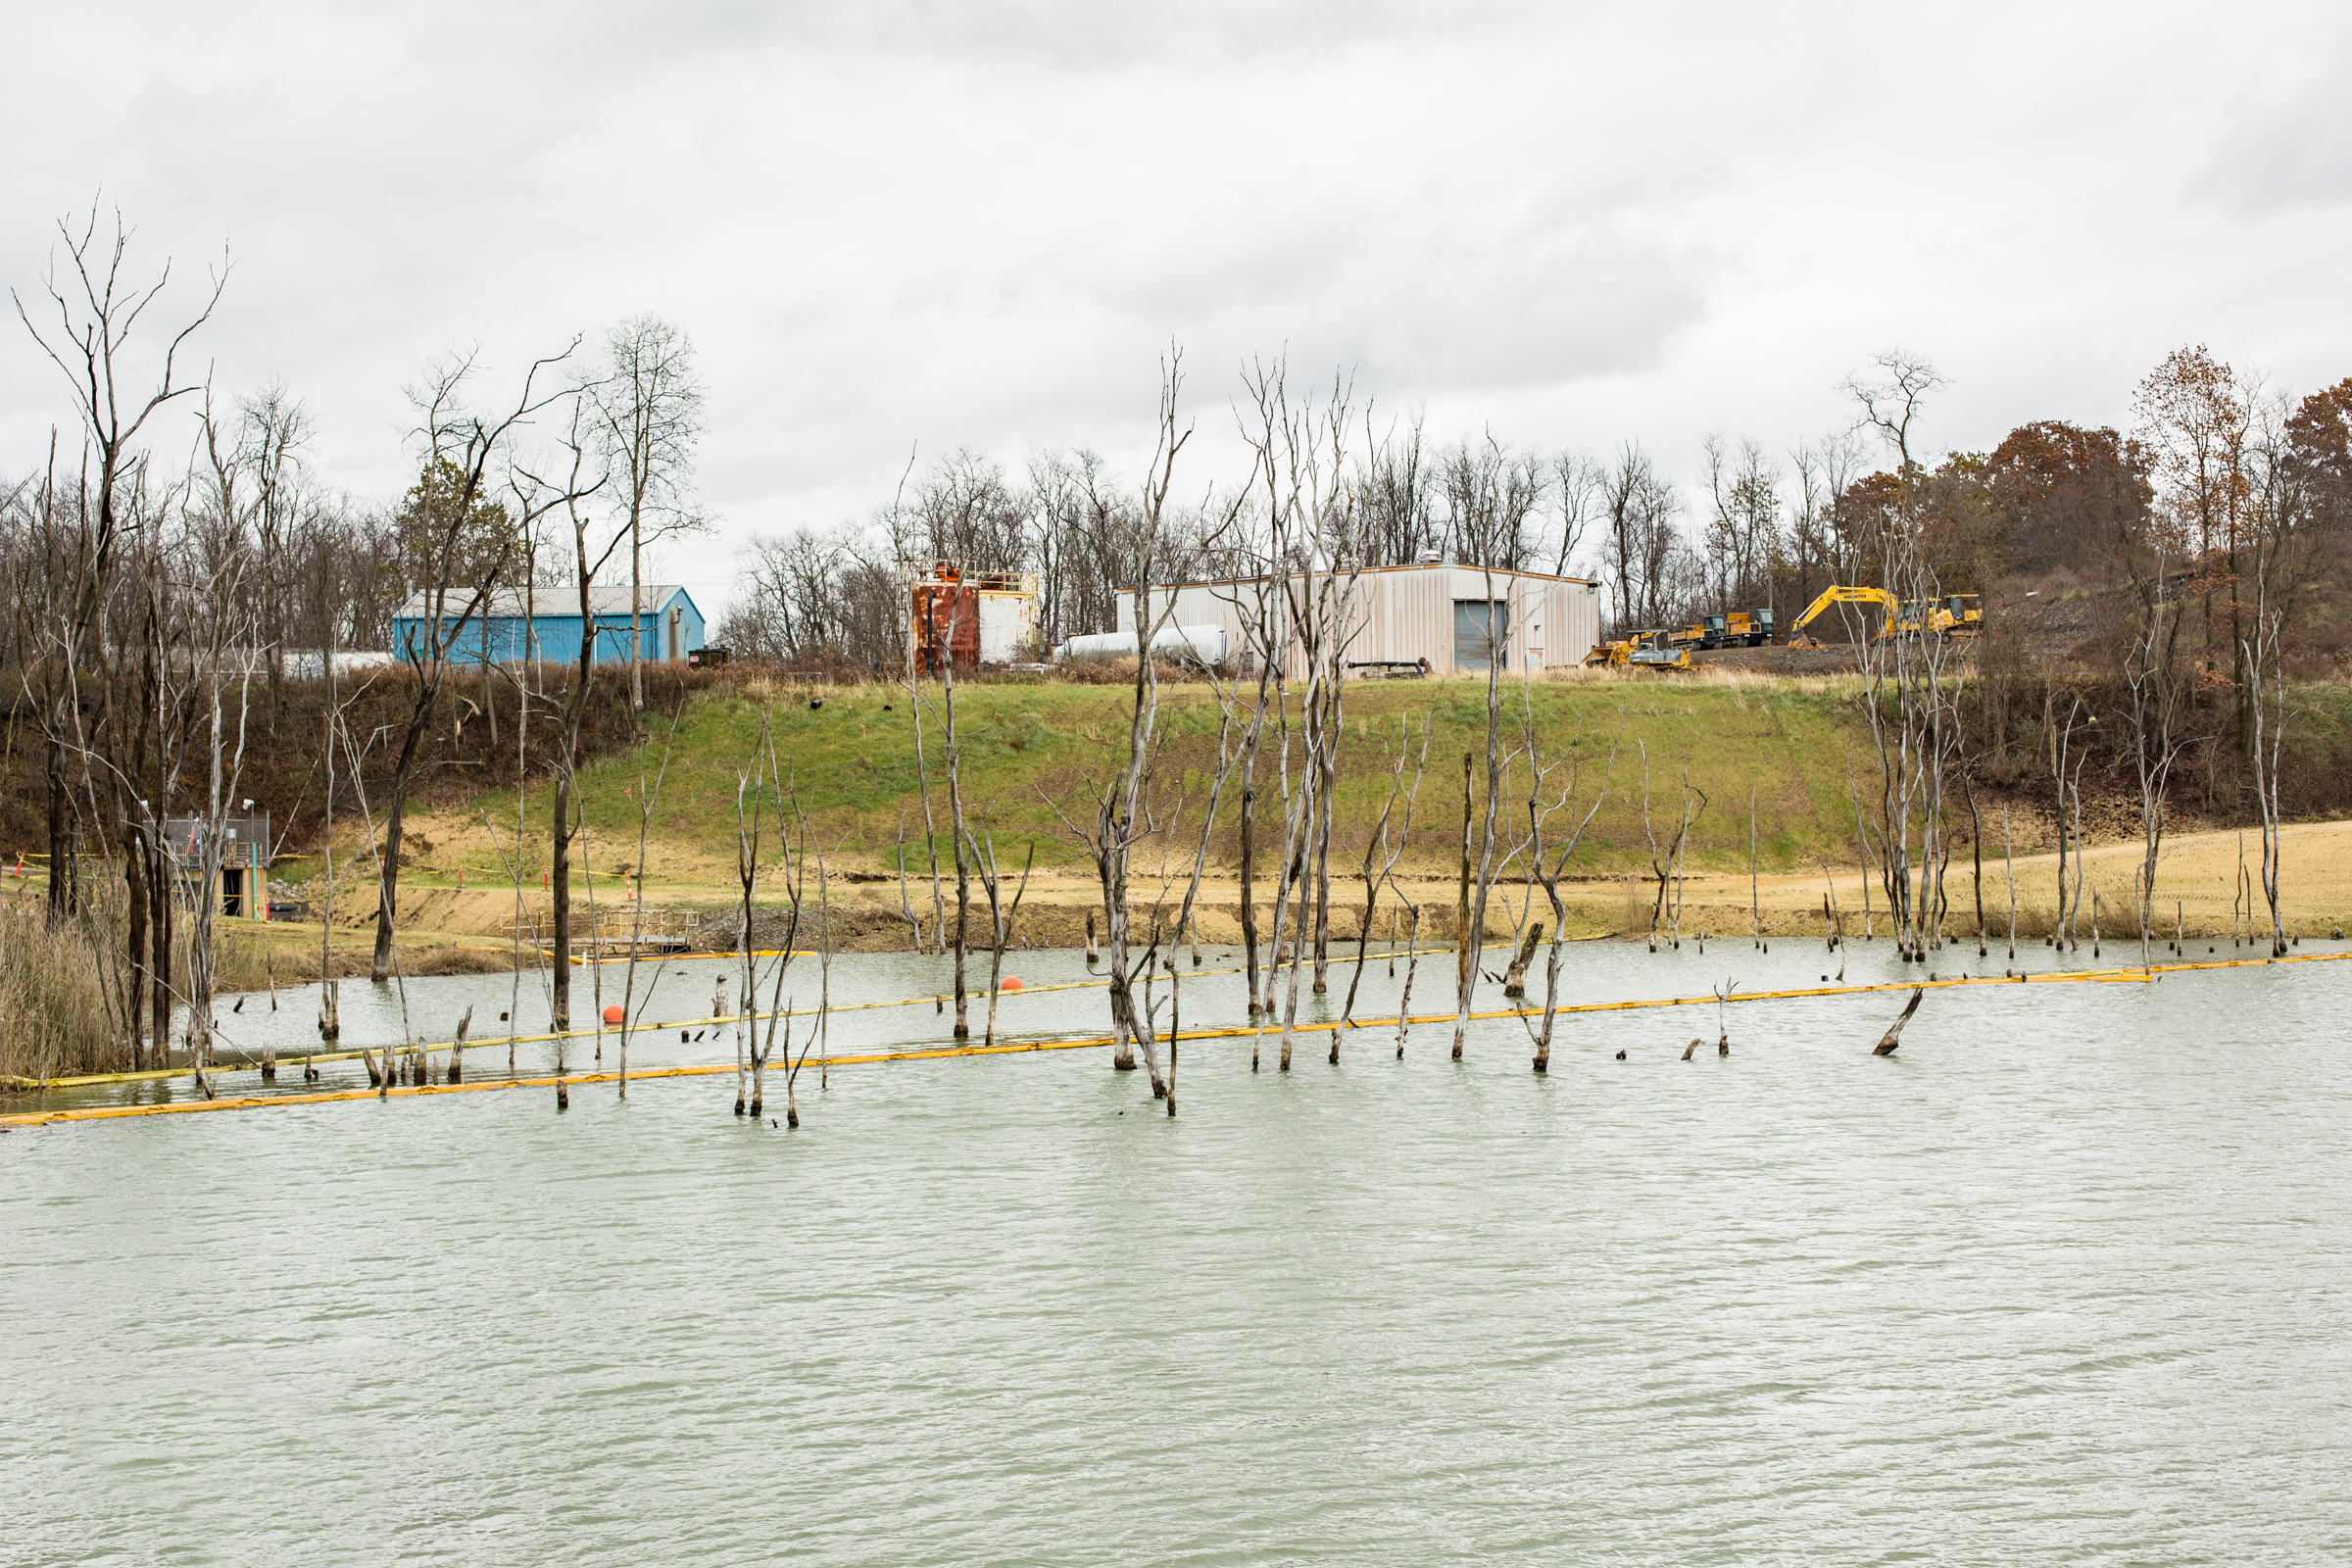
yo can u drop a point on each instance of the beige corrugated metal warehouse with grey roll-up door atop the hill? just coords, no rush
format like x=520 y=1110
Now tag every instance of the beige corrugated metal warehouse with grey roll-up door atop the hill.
x=1410 y=615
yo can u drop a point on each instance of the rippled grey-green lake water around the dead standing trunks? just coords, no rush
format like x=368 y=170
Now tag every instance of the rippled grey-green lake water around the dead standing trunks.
x=2066 y=1280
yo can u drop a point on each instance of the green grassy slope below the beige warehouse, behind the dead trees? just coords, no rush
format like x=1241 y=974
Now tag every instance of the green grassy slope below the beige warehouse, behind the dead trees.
x=1029 y=749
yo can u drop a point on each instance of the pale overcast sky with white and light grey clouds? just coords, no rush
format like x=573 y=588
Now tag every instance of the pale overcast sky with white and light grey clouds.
x=916 y=225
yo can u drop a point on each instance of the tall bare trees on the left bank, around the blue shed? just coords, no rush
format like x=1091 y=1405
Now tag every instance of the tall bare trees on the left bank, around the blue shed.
x=175 y=582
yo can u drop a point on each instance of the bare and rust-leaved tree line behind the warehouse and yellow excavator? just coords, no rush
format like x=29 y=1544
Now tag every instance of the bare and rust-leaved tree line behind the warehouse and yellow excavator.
x=1753 y=530
